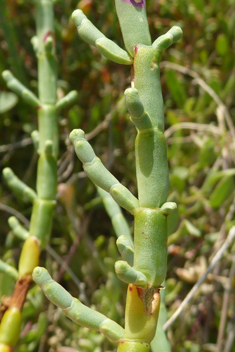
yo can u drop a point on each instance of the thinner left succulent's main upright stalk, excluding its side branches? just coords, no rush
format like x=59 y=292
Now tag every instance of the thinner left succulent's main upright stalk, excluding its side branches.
x=43 y=204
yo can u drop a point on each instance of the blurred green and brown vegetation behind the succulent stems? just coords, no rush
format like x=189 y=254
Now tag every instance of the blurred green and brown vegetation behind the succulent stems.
x=198 y=81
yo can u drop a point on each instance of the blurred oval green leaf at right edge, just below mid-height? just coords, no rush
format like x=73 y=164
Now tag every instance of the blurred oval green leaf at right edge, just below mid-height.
x=222 y=191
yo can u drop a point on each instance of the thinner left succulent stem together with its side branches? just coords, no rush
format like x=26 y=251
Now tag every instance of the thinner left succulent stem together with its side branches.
x=43 y=200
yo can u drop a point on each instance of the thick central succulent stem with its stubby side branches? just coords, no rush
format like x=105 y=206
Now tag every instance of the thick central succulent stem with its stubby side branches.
x=143 y=265
